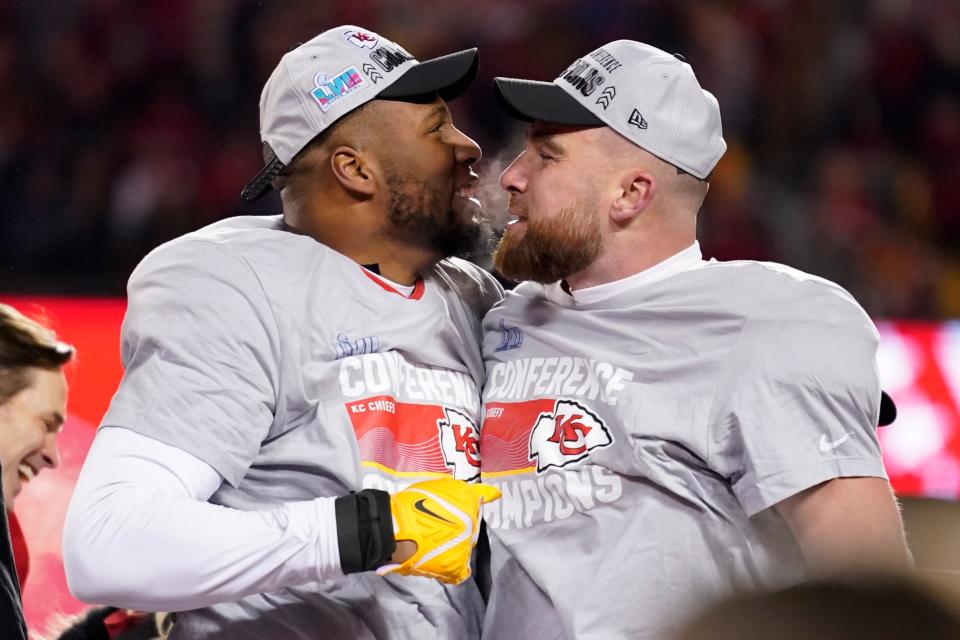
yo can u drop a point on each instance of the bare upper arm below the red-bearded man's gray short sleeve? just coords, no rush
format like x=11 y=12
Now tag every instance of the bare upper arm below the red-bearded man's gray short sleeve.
x=848 y=523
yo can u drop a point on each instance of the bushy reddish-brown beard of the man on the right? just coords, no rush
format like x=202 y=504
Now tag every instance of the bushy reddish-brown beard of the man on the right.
x=551 y=249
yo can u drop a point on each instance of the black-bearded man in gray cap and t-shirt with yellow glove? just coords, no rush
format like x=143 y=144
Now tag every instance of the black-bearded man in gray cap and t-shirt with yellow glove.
x=292 y=382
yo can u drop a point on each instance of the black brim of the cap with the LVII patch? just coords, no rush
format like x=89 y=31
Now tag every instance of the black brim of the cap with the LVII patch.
x=448 y=76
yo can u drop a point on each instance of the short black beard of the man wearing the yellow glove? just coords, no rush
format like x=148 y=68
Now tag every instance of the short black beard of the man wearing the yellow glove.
x=423 y=216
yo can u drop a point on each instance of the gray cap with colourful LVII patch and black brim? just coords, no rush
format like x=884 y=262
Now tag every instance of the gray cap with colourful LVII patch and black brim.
x=325 y=78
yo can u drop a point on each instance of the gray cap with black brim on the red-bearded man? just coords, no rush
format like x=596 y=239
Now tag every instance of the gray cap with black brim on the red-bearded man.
x=648 y=96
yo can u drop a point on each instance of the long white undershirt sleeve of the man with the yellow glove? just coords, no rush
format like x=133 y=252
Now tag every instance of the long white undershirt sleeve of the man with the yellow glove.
x=139 y=533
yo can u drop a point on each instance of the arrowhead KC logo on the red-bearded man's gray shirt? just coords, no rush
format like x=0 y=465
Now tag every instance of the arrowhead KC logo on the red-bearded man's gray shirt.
x=566 y=435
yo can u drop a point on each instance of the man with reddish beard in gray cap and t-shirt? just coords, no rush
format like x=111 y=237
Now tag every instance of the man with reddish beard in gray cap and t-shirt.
x=663 y=428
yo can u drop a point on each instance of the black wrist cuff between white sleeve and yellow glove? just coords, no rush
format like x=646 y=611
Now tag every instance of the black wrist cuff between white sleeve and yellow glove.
x=364 y=530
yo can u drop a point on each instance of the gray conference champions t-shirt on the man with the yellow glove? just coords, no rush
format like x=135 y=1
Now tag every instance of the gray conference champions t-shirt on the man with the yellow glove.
x=295 y=373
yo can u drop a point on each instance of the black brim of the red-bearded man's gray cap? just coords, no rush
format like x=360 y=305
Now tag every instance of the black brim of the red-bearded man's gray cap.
x=530 y=100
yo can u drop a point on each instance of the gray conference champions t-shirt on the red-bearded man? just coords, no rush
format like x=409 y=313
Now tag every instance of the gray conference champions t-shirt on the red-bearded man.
x=640 y=441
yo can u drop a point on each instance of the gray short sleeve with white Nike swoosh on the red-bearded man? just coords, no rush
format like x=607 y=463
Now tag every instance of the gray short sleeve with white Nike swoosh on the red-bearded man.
x=800 y=397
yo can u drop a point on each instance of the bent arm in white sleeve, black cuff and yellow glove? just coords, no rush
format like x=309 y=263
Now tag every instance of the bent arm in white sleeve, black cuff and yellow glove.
x=139 y=533
